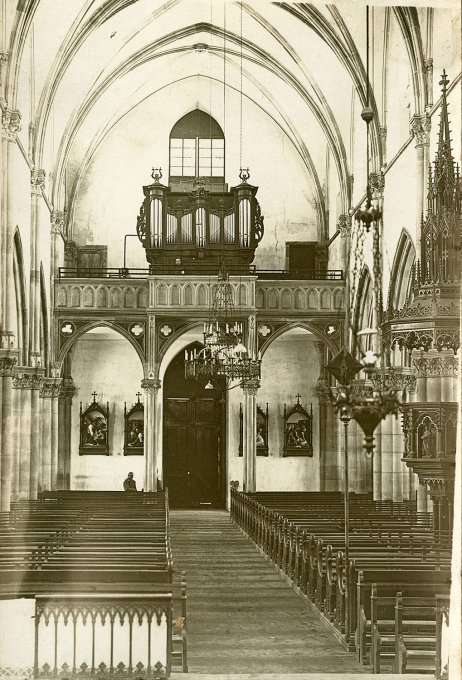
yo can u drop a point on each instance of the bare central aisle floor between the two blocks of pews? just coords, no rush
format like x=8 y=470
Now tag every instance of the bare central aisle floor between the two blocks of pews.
x=242 y=617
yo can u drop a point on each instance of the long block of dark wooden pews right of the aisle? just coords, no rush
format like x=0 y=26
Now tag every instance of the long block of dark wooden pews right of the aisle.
x=386 y=551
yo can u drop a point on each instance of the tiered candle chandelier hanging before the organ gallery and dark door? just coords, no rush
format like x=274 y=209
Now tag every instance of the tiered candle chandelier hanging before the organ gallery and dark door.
x=224 y=359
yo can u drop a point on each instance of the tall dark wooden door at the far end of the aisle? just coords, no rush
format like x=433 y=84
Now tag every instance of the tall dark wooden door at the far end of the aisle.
x=194 y=441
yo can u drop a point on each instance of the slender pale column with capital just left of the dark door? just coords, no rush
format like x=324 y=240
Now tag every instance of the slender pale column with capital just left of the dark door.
x=151 y=387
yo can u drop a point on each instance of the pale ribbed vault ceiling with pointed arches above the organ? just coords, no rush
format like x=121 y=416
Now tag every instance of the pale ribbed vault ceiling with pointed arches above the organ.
x=96 y=62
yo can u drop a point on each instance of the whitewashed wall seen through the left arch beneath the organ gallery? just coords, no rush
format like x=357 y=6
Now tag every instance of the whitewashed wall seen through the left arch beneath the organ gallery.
x=106 y=369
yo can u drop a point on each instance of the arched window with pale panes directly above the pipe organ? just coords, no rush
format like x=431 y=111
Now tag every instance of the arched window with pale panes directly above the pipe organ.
x=197 y=148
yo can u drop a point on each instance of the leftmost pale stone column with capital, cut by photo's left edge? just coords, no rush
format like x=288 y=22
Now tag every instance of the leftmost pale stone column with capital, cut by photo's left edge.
x=8 y=430
